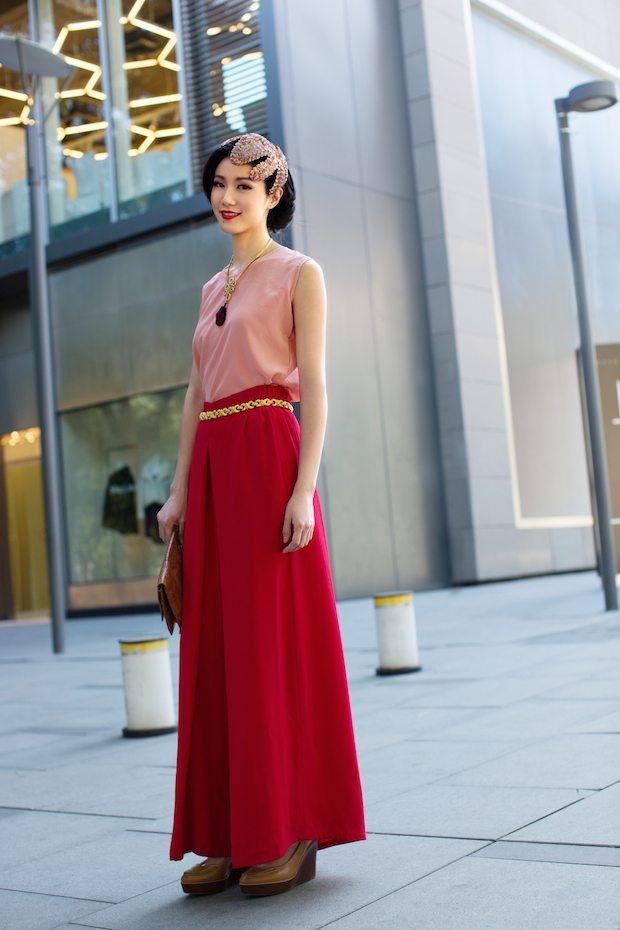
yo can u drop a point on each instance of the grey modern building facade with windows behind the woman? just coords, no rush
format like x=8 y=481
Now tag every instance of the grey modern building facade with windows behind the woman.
x=422 y=140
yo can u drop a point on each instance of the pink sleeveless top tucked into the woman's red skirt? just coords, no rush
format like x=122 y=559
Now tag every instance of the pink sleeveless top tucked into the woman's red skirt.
x=256 y=344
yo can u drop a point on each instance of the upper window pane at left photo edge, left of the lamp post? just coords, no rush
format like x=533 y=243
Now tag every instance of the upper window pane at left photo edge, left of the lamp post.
x=14 y=109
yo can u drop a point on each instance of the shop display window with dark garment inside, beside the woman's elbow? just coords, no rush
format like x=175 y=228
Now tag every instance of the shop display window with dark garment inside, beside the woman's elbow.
x=119 y=459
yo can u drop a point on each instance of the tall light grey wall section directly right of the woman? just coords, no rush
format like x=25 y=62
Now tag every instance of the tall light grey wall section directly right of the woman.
x=345 y=132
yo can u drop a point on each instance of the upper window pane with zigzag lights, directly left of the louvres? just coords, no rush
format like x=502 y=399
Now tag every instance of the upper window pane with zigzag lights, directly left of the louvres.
x=148 y=125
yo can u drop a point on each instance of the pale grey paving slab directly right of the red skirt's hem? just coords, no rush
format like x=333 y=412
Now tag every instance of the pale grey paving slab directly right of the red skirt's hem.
x=464 y=810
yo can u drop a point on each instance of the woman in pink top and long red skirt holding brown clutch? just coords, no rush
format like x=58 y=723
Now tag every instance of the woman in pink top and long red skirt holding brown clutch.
x=267 y=770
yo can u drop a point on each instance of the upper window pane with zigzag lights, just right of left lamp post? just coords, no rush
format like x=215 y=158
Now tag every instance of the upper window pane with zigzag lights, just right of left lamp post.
x=76 y=125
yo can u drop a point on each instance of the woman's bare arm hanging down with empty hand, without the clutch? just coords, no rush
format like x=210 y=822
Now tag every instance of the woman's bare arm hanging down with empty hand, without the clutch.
x=310 y=308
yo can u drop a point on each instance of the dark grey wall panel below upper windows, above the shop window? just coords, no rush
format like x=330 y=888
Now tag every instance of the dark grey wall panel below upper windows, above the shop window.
x=124 y=320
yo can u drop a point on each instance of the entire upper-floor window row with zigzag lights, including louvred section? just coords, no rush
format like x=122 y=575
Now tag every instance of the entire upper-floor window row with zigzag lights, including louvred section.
x=115 y=130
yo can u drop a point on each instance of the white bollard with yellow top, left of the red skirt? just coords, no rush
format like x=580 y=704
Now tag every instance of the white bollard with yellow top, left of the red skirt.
x=148 y=687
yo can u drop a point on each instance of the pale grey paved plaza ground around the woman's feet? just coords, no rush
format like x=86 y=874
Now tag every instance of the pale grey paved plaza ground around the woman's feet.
x=491 y=777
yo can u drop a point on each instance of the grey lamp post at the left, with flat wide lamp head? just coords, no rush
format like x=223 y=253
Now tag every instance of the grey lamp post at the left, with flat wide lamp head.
x=36 y=61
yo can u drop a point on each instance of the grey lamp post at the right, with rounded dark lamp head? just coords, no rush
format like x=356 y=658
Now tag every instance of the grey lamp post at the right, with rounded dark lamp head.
x=587 y=98
